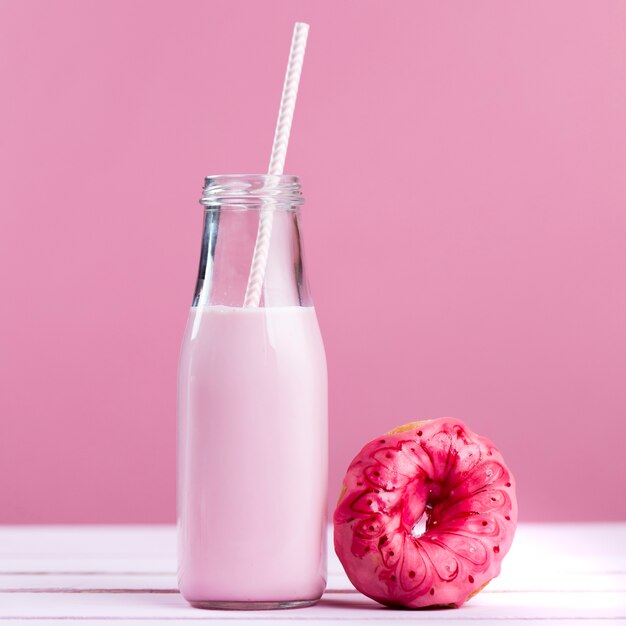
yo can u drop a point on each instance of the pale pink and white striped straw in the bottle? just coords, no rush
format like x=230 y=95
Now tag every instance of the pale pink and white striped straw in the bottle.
x=277 y=161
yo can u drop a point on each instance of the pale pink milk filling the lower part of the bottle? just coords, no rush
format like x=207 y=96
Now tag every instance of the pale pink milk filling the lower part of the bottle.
x=252 y=411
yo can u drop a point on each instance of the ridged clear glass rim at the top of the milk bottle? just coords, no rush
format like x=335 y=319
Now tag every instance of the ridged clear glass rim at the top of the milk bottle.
x=252 y=190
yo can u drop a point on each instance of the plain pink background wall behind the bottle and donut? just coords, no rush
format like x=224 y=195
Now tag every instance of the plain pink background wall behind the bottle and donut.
x=466 y=231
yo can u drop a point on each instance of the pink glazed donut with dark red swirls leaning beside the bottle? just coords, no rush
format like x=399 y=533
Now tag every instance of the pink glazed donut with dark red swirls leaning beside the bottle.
x=441 y=471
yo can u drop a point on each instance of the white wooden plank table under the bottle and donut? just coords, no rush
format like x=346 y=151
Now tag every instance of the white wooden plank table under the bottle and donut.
x=554 y=574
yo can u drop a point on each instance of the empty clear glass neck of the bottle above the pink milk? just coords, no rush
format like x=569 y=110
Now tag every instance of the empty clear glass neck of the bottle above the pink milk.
x=233 y=209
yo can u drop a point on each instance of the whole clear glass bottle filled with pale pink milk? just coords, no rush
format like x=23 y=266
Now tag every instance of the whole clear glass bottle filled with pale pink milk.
x=252 y=411
